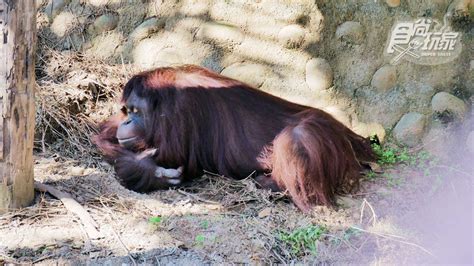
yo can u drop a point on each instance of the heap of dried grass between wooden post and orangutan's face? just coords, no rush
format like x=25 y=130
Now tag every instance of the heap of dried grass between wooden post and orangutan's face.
x=74 y=93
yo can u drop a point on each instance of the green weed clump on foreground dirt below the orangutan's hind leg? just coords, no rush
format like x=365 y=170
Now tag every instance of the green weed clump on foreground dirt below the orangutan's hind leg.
x=303 y=239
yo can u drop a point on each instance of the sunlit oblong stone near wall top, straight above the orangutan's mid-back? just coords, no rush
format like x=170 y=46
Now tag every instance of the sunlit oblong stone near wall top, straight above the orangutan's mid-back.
x=220 y=32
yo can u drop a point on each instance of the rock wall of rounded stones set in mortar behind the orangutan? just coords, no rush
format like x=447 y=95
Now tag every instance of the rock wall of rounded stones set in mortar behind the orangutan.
x=326 y=54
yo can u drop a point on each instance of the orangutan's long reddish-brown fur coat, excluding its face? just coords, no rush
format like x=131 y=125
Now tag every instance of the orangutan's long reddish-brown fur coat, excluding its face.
x=204 y=121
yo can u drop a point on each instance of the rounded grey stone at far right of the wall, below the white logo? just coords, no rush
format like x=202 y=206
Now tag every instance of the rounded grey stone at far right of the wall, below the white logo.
x=444 y=102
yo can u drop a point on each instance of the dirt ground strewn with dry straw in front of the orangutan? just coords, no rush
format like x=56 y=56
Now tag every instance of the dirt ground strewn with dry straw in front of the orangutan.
x=400 y=216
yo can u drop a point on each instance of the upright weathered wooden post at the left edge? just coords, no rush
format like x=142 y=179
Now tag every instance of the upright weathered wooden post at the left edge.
x=17 y=107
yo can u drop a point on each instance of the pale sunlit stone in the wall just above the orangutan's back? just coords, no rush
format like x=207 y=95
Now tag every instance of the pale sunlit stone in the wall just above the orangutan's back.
x=250 y=73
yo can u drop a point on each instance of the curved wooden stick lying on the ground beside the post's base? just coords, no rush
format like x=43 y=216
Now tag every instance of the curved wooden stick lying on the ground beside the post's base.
x=90 y=226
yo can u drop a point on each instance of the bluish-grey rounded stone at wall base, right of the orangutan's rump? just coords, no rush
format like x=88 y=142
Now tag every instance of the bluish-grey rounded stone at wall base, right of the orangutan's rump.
x=410 y=129
